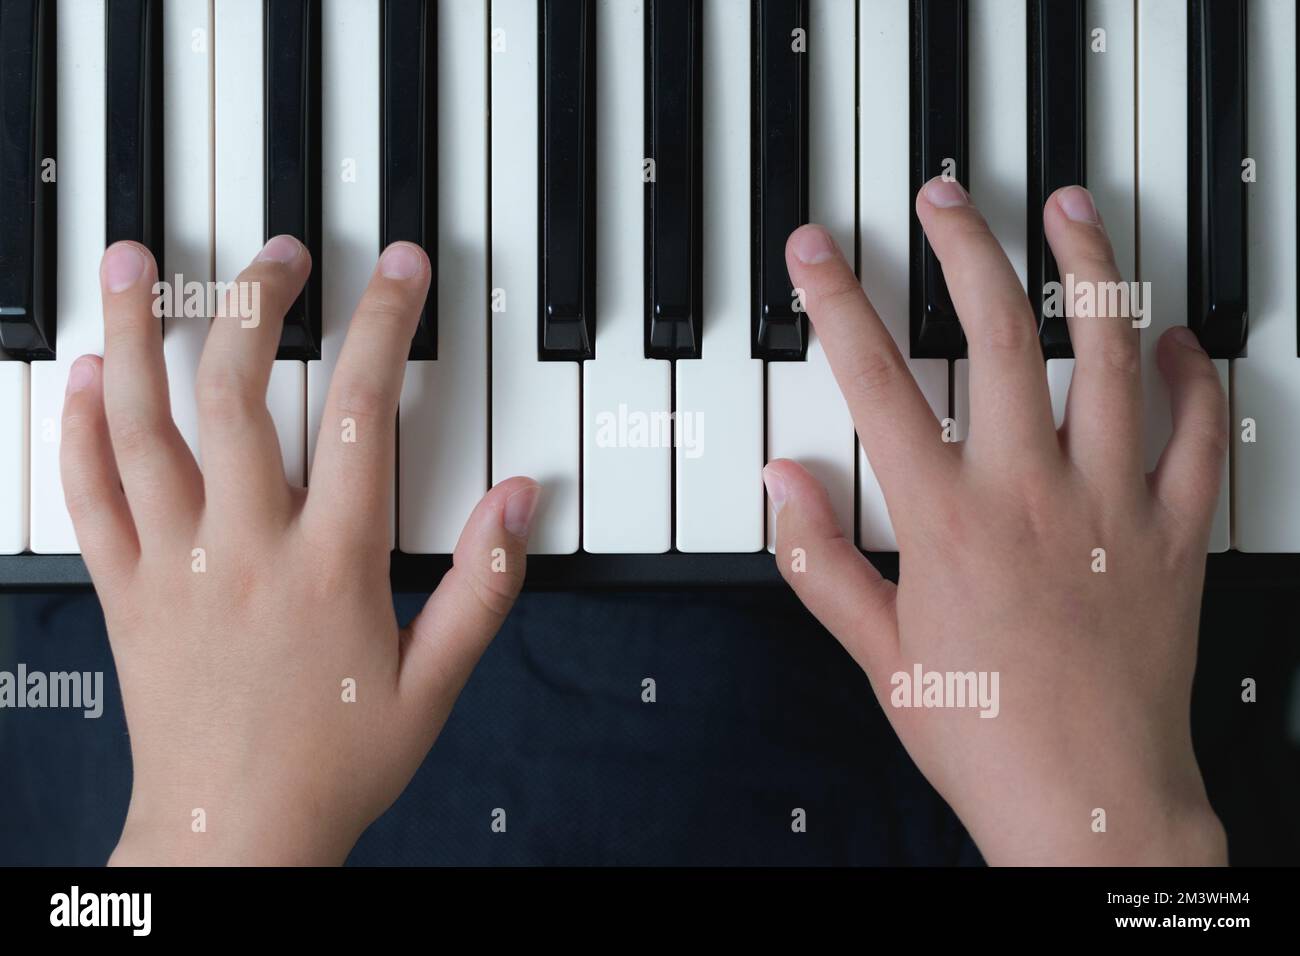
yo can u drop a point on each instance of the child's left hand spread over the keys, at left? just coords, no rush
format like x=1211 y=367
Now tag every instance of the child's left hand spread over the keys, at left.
x=244 y=612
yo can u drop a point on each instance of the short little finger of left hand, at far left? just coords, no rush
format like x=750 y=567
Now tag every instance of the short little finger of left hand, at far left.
x=93 y=488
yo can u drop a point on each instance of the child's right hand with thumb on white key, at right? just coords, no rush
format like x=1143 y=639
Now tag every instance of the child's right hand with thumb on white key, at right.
x=998 y=546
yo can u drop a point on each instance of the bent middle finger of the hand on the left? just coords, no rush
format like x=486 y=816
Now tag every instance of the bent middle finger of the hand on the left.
x=244 y=469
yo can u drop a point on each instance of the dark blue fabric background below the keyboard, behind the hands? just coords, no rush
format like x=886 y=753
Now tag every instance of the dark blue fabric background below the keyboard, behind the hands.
x=759 y=712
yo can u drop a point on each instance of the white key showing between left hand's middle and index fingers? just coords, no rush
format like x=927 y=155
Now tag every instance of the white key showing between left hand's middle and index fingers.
x=350 y=191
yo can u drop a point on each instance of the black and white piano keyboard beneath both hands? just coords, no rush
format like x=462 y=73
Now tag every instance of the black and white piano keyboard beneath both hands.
x=605 y=189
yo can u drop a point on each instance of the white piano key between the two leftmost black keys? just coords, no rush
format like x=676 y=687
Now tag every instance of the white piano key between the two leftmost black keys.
x=81 y=245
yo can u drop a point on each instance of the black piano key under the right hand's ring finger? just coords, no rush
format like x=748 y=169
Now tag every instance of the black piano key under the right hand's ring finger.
x=1058 y=122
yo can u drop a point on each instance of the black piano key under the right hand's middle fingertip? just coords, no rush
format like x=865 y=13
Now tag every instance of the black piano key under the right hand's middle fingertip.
x=941 y=142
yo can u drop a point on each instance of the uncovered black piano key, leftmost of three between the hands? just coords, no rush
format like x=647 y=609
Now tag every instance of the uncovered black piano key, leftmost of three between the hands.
x=566 y=327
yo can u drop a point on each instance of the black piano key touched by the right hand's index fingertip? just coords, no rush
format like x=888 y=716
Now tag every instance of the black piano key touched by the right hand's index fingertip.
x=781 y=184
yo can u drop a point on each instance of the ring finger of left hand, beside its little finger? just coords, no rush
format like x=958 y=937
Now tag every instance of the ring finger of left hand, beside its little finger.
x=159 y=475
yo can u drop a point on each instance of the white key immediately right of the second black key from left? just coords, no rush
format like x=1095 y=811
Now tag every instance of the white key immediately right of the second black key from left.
x=187 y=194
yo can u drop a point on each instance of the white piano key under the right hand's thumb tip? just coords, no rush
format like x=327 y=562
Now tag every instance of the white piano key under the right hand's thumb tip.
x=808 y=418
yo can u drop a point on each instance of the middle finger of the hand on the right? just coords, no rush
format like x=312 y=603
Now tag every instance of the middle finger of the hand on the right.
x=1011 y=412
